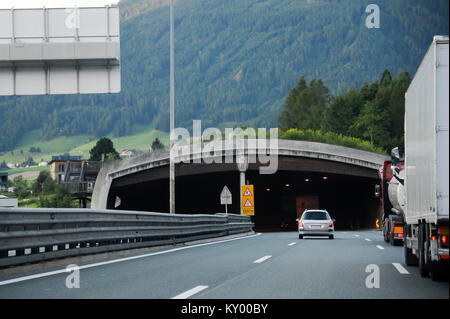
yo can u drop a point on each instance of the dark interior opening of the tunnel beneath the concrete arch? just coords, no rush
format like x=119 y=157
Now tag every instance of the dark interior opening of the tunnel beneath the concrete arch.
x=279 y=198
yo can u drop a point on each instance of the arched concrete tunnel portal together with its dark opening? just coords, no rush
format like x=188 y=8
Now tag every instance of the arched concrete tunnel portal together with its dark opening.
x=308 y=175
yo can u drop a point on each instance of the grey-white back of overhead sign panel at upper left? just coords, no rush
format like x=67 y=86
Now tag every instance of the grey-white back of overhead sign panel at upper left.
x=60 y=50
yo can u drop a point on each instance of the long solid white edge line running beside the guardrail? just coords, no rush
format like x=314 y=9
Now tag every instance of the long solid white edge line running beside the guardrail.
x=62 y=271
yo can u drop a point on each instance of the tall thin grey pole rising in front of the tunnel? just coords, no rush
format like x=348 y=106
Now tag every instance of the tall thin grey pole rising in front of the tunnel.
x=172 y=116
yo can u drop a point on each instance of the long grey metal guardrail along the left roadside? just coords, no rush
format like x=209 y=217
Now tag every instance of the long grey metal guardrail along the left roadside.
x=33 y=235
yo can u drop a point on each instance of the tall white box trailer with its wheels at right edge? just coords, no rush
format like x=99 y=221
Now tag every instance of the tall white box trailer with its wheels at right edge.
x=427 y=163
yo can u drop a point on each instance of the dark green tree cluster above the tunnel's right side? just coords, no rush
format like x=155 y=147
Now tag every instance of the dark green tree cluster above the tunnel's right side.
x=373 y=113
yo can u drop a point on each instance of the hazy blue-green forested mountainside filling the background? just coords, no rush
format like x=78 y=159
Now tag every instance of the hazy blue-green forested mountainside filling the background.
x=236 y=62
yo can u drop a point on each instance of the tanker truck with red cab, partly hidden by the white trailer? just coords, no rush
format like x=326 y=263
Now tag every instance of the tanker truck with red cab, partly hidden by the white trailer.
x=391 y=193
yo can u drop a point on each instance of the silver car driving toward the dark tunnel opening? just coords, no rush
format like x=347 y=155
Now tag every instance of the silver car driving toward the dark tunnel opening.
x=316 y=222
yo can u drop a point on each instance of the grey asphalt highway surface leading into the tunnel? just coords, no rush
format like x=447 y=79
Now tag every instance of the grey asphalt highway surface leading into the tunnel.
x=267 y=265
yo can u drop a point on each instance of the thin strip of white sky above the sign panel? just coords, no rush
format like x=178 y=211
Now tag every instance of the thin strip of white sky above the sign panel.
x=54 y=3
